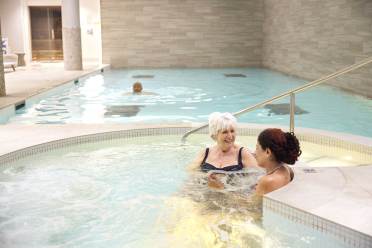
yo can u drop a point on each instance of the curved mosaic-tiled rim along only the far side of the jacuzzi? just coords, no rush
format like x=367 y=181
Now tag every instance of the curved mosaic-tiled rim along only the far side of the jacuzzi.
x=319 y=139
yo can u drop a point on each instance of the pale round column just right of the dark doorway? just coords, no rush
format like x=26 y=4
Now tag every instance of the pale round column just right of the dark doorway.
x=71 y=35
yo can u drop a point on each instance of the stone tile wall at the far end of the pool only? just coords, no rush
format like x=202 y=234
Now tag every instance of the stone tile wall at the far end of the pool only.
x=182 y=33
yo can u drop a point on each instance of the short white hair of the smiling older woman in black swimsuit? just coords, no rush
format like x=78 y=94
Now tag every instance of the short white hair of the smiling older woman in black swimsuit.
x=220 y=121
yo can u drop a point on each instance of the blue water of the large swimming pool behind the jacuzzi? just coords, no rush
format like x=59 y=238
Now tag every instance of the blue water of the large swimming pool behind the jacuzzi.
x=191 y=95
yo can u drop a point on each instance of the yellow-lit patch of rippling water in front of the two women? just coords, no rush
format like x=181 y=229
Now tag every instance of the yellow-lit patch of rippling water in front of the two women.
x=199 y=216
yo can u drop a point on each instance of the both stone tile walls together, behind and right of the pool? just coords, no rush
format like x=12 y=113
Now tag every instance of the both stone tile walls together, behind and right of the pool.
x=304 y=38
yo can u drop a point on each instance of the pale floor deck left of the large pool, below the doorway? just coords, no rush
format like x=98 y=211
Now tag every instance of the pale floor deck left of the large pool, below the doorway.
x=36 y=78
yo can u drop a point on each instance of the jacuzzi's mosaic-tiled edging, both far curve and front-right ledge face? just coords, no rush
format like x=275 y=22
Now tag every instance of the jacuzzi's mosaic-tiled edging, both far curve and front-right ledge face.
x=342 y=233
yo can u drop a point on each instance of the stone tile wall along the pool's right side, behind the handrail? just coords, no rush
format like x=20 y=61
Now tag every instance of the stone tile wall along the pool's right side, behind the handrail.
x=313 y=38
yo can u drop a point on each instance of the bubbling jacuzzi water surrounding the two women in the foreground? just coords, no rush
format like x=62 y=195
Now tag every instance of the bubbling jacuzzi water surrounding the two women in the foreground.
x=131 y=193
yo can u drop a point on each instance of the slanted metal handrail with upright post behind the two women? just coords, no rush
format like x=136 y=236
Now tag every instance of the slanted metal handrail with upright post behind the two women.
x=292 y=93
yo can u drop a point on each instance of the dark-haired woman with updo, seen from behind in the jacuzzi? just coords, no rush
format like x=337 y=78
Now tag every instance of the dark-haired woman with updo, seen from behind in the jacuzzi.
x=274 y=150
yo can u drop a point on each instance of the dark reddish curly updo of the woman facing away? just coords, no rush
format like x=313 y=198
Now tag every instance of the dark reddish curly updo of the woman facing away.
x=284 y=146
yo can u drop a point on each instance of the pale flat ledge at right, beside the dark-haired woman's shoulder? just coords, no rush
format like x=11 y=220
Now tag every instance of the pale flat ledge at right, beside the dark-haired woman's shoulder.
x=339 y=195
